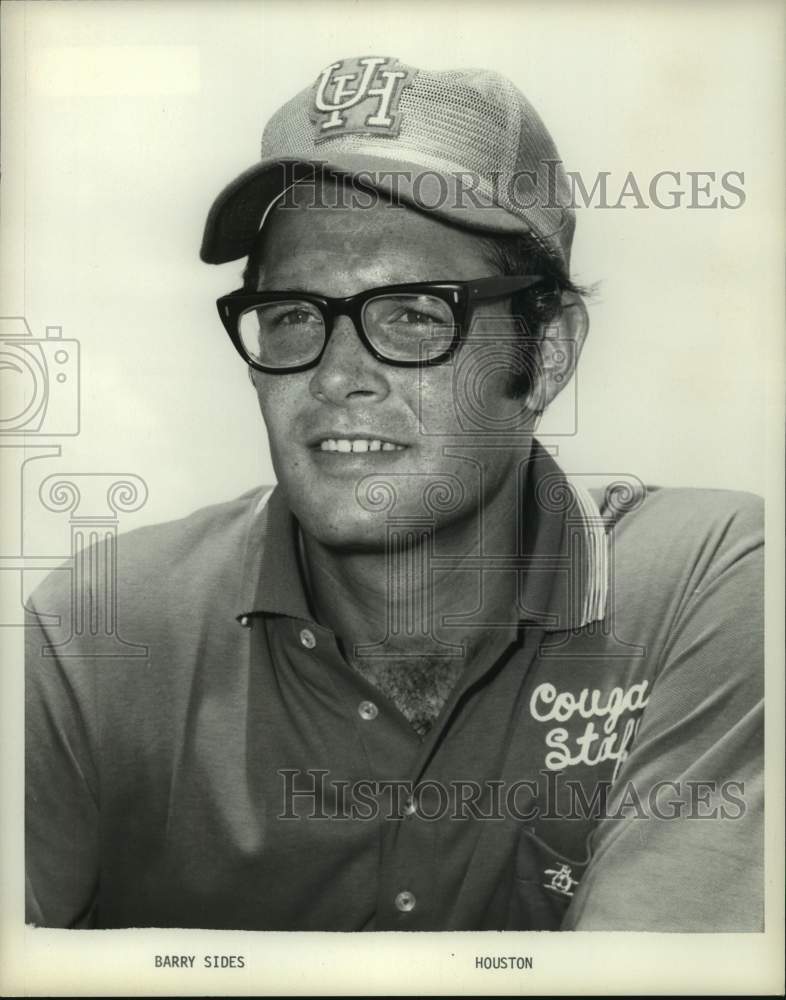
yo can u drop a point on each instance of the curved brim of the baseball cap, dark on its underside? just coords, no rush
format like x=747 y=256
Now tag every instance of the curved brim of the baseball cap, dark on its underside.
x=235 y=216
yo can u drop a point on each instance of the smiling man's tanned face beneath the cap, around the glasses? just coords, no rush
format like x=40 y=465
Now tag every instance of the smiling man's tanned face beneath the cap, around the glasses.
x=350 y=395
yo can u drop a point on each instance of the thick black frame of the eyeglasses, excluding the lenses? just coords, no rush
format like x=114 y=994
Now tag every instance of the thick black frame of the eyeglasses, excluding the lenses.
x=459 y=295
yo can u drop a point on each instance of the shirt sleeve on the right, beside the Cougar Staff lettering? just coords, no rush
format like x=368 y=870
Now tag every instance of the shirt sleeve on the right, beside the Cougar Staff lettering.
x=688 y=854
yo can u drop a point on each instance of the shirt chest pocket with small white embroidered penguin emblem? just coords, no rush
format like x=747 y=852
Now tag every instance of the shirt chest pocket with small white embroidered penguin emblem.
x=545 y=881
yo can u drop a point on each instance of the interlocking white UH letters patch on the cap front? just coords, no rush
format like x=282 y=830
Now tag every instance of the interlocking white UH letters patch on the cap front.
x=359 y=95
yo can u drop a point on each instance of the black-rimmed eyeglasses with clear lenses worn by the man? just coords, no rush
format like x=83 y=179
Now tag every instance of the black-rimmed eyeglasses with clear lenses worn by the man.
x=410 y=326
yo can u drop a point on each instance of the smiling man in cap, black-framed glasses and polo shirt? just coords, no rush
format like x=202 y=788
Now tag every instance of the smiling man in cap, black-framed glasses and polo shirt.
x=425 y=683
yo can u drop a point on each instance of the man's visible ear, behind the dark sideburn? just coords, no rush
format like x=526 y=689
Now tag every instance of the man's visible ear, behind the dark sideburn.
x=559 y=351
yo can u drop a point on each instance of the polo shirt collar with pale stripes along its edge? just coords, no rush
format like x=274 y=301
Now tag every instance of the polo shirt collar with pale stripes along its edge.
x=563 y=580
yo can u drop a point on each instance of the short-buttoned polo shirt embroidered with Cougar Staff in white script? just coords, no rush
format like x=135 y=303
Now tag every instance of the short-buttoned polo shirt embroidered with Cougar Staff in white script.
x=219 y=764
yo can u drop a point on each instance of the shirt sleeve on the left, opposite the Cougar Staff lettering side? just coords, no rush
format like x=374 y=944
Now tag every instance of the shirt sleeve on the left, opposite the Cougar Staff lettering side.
x=61 y=786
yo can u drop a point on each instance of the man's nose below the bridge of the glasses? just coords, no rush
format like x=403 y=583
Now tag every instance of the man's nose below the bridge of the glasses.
x=347 y=370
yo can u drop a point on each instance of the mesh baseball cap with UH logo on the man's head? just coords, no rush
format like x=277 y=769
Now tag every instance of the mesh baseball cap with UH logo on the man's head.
x=465 y=145
